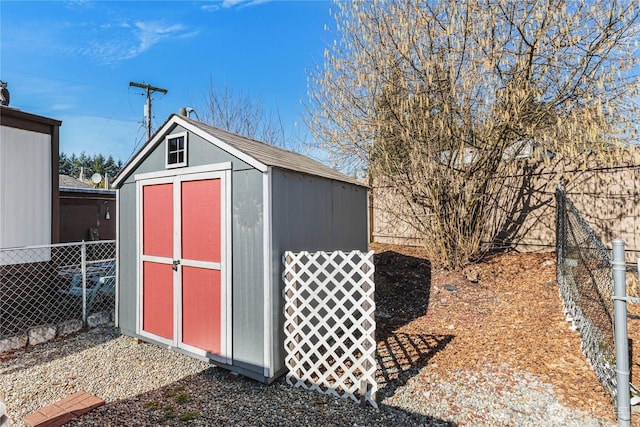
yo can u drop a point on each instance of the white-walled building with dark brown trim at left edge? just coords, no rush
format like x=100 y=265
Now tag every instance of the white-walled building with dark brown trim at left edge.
x=28 y=179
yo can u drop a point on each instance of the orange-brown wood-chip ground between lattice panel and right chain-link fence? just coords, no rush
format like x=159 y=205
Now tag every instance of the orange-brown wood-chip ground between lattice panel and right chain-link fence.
x=506 y=310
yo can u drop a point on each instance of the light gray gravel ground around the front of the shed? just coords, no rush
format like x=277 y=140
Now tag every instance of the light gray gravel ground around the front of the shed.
x=145 y=385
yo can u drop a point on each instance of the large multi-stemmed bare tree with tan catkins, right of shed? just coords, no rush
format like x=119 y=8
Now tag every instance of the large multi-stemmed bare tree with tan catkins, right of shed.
x=441 y=101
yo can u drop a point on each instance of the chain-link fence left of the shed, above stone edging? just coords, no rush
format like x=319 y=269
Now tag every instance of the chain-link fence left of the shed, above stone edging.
x=51 y=284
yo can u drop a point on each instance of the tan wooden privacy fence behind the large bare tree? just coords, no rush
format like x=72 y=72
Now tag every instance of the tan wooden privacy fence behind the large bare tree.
x=607 y=197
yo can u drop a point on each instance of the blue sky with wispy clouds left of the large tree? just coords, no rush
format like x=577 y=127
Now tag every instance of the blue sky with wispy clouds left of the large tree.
x=73 y=61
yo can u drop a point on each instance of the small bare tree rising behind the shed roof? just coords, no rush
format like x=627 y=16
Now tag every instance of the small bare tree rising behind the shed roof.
x=243 y=114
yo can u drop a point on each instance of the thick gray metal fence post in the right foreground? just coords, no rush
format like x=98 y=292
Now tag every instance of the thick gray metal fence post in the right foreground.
x=620 y=329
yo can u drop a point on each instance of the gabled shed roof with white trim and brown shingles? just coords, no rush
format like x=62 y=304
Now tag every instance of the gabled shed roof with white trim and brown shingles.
x=263 y=155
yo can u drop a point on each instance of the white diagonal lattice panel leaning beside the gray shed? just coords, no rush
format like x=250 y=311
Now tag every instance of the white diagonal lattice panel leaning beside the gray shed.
x=329 y=323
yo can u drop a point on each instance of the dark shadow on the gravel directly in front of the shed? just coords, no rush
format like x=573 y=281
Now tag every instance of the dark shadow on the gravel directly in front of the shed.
x=215 y=398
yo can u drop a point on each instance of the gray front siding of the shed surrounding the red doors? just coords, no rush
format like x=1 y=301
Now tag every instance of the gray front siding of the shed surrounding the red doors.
x=247 y=248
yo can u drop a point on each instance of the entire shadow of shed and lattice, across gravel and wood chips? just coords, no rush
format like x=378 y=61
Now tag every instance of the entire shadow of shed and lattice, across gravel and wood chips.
x=215 y=397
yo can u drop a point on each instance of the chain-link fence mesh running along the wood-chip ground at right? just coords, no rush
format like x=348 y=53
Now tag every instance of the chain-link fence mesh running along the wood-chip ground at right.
x=586 y=287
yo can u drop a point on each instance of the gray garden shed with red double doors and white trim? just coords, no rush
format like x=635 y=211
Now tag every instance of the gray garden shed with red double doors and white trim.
x=204 y=217
